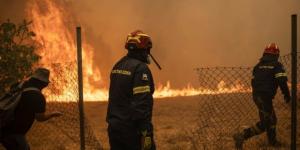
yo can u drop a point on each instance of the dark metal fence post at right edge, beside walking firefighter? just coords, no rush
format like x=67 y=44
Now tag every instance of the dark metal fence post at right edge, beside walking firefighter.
x=294 y=83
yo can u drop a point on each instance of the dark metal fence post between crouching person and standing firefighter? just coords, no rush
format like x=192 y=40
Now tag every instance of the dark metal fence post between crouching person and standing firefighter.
x=80 y=88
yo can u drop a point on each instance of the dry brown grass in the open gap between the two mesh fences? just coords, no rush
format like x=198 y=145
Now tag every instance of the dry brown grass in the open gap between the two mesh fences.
x=172 y=117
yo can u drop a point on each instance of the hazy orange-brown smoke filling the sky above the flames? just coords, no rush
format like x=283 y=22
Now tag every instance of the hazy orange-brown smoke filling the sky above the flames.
x=186 y=34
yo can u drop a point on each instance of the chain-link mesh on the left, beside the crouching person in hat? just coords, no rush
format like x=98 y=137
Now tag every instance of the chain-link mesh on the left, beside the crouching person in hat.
x=62 y=133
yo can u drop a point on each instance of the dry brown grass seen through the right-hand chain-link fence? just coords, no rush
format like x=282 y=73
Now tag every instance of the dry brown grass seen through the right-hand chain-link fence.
x=223 y=115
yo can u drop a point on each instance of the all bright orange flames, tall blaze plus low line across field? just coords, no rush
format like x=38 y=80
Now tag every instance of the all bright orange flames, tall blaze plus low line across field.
x=55 y=31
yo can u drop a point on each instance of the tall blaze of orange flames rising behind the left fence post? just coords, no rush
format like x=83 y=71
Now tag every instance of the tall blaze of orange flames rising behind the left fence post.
x=55 y=32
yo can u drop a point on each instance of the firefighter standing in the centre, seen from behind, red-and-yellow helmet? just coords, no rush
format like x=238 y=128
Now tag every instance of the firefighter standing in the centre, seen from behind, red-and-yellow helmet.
x=130 y=103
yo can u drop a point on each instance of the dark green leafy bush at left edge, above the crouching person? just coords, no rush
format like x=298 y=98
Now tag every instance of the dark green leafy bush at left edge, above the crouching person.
x=17 y=53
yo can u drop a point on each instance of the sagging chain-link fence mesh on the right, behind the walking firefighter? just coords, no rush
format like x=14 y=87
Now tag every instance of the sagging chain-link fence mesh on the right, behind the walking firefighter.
x=224 y=113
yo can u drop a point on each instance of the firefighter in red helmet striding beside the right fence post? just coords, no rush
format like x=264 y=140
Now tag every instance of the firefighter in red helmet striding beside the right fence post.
x=268 y=74
